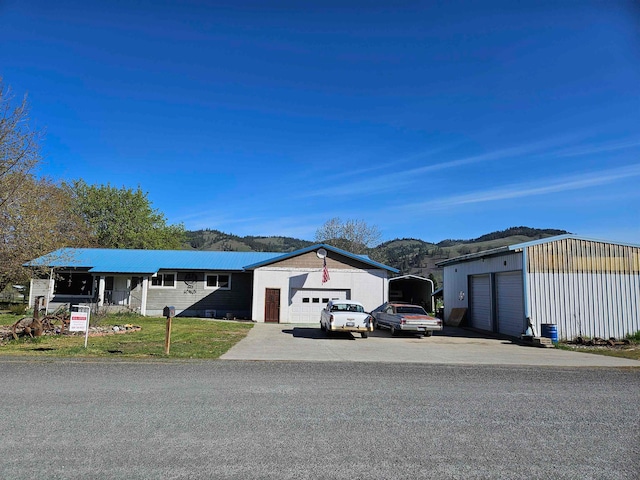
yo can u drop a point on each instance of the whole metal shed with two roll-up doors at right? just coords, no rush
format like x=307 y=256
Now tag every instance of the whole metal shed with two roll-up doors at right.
x=585 y=287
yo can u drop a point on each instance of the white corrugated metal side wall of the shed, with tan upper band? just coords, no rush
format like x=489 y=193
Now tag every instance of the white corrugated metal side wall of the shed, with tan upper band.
x=585 y=287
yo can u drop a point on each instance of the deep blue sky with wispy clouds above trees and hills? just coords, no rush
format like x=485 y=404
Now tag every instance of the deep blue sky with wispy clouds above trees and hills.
x=430 y=120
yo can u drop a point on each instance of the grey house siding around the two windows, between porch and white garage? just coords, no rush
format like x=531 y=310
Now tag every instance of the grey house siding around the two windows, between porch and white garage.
x=191 y=296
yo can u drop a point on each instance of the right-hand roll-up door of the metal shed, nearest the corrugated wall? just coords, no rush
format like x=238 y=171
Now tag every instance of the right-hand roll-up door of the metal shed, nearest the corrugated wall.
x=510 y=305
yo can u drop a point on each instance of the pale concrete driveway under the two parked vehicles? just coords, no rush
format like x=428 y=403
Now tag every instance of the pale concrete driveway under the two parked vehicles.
x=452 y=346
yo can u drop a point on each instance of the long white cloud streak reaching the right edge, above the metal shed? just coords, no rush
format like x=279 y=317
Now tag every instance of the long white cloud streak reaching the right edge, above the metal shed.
x=541 y=187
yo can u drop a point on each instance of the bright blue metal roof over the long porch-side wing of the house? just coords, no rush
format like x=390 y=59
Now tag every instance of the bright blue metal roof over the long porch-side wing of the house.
x=104 y=260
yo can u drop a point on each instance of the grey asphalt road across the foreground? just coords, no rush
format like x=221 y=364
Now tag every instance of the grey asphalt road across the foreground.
x=298 y=420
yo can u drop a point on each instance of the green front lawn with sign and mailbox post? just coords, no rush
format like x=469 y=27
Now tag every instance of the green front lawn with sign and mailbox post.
x=190 y=338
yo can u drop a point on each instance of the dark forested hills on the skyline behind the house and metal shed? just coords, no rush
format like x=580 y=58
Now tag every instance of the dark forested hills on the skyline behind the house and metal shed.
x=409 y=255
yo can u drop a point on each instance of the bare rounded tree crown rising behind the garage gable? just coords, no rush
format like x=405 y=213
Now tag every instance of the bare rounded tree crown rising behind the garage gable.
x=355 y=236
